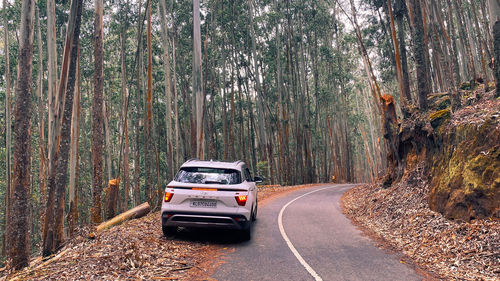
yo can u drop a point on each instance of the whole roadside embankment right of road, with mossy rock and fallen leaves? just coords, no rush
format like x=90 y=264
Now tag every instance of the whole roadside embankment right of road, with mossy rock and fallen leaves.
x=443 y=213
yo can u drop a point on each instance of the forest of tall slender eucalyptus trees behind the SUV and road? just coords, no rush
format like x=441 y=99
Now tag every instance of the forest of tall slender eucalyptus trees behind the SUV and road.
x=111 y=97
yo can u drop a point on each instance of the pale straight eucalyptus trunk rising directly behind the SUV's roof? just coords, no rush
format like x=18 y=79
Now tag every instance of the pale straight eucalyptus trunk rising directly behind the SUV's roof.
x=197 y=78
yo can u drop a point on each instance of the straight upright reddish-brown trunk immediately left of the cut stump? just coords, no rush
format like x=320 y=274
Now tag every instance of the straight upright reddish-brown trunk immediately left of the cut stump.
x=97 y=116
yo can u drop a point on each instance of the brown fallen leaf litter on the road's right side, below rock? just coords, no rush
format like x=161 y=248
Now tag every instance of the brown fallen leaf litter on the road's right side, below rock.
x=401 y=217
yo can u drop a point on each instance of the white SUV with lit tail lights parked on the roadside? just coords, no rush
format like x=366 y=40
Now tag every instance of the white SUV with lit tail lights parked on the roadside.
x=211 y=194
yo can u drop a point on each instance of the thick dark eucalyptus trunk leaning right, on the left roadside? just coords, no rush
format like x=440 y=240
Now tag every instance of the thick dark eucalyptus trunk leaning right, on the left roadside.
x=54 y=220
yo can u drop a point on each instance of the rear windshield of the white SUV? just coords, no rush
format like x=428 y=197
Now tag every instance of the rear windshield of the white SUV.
x=208 y=175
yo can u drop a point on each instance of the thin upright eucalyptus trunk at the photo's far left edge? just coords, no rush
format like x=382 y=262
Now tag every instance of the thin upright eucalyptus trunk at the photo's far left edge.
x=8 y=131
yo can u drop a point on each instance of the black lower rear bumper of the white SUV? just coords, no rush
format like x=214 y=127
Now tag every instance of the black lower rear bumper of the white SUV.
x=205 y=220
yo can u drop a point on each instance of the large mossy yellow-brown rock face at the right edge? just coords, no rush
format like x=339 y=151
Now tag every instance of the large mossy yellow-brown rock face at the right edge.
x=465 y=173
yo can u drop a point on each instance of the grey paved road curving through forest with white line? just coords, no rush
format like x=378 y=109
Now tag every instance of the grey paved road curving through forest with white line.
x=330 y=247
